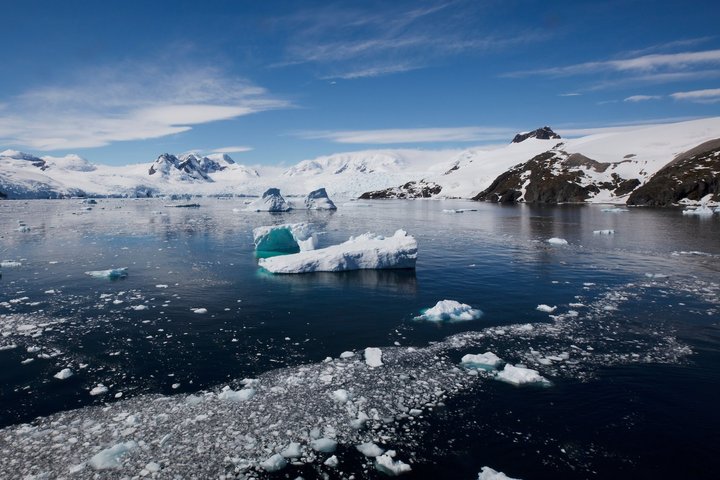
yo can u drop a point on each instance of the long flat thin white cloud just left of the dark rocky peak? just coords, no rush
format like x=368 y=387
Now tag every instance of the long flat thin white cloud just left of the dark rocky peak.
x=412 y=135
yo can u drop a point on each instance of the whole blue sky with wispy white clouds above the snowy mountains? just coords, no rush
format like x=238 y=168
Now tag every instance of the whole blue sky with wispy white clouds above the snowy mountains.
x=277 y=82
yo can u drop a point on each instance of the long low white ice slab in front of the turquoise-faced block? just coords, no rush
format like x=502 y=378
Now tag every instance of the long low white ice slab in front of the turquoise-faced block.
x=368 y=251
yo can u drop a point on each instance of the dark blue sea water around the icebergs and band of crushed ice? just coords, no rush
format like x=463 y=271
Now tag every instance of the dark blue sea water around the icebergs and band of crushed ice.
x=615 y=413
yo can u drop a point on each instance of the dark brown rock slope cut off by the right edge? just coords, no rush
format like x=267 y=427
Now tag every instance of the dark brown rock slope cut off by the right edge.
x=692 y=176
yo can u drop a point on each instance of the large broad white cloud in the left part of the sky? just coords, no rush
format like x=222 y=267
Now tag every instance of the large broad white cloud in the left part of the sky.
x=127 y=102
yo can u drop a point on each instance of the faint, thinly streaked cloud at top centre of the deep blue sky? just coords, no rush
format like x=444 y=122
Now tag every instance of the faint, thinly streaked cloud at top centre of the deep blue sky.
x=360 y=41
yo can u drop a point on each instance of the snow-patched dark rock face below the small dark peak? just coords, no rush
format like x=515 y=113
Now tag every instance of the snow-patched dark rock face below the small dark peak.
x=557 y=177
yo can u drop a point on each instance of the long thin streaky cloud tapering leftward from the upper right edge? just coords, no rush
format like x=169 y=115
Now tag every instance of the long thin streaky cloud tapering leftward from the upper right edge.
x=643 y=63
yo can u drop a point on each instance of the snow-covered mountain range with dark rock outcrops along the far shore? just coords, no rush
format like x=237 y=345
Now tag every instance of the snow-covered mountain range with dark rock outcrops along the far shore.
x=536 y=167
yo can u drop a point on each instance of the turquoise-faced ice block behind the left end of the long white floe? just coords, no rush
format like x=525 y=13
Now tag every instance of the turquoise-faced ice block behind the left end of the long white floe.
x=284 y=239
